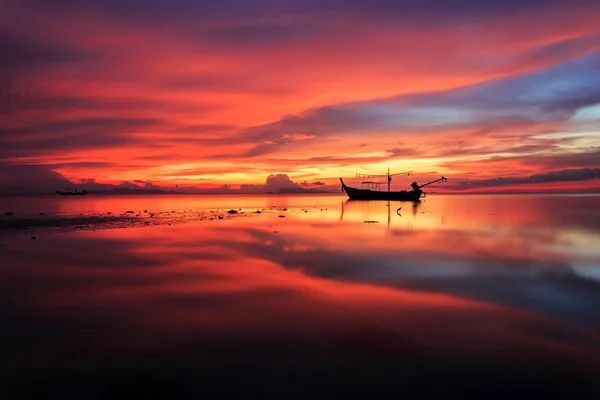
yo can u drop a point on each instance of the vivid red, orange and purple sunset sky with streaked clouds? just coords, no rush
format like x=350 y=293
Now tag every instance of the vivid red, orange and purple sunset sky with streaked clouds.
x=202 y=94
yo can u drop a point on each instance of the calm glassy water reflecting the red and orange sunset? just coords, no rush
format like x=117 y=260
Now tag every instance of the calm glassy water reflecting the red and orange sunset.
x=455 y=296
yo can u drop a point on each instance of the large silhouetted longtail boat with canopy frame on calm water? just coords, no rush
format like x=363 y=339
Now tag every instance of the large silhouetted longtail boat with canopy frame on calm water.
x=369 y=194
